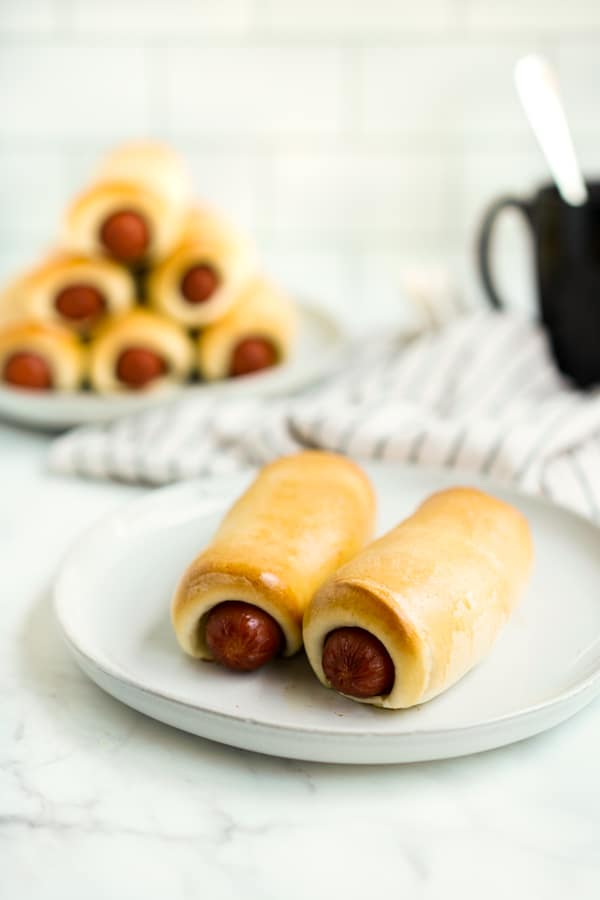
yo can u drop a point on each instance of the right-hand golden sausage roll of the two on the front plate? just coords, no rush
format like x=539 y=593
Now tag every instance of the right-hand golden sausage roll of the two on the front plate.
x=416 y=609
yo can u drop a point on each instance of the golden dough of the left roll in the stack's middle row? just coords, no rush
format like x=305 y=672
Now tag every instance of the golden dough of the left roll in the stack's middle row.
x=33 y=294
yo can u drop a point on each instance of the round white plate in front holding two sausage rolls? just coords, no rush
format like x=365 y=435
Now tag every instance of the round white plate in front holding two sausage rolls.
x=113 y=596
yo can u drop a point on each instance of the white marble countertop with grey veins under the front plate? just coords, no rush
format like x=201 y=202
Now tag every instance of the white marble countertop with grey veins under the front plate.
x=97 y=801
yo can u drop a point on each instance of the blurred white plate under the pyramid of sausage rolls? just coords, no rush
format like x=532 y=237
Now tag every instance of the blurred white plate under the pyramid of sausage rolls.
x=318 y=350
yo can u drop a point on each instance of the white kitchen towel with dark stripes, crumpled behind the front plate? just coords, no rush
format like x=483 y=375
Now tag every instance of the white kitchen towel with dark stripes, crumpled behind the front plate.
x=480 y=394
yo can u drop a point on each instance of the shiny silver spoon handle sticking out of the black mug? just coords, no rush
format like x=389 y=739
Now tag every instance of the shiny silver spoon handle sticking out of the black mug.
x=539 y=94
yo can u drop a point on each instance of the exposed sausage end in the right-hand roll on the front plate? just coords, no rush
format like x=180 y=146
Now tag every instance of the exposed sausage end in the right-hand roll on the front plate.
x=356 y=663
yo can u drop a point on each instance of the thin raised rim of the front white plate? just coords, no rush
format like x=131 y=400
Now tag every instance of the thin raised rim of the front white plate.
x=218 y=485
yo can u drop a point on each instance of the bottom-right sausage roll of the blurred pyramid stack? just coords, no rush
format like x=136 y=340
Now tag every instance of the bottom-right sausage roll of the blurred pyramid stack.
x=256 y=334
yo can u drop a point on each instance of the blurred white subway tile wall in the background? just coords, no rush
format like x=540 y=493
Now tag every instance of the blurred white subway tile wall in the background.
x=356 y=140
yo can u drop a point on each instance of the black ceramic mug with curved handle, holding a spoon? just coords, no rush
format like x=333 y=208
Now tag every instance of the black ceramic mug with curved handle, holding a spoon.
x=567 y=261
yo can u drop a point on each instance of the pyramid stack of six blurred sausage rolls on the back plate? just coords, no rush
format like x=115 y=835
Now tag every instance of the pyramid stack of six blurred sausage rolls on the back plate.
x=144 y=288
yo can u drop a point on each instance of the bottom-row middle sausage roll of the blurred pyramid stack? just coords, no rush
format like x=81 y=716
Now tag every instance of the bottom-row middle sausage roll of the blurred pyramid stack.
x=139 y=350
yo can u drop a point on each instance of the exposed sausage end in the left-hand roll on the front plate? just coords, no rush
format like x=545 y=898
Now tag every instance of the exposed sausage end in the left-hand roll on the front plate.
x=242 y=636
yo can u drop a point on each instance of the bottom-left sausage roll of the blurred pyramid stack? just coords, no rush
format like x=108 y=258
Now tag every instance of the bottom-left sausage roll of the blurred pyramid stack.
x=40 y=356
